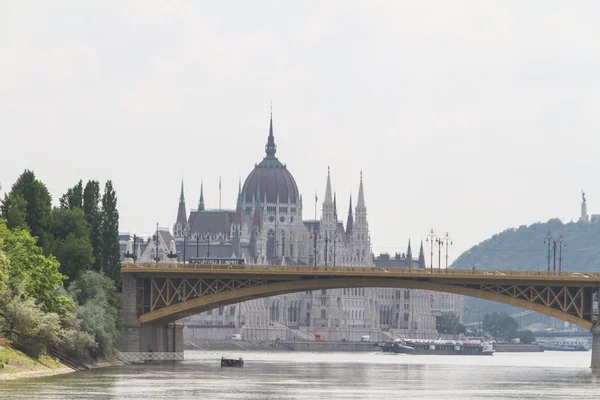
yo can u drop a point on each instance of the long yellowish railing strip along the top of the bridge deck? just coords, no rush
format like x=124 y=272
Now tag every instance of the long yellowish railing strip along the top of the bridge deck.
x=353 y=270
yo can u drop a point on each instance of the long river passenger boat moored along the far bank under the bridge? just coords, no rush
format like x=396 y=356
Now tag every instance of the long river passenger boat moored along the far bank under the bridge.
x=439 y=347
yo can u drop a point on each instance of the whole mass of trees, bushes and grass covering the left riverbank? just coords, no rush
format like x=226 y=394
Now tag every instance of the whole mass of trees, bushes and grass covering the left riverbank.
x=59 y=271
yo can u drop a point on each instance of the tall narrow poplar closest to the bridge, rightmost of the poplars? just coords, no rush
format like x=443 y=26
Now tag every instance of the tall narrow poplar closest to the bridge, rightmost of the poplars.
x=110 y=234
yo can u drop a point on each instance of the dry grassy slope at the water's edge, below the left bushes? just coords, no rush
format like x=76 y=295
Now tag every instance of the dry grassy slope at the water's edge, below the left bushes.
x=16 y=364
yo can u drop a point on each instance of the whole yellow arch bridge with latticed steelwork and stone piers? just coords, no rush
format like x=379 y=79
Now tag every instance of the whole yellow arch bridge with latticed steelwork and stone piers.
x=157 y=294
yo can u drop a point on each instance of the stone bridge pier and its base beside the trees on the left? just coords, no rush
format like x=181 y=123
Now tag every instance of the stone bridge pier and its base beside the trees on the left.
x=146 y=338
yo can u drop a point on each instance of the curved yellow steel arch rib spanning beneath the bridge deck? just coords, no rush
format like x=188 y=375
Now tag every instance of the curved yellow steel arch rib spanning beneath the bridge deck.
x=200 y=304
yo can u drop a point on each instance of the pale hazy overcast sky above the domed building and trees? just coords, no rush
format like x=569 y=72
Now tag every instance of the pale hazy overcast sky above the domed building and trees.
x=465 y=116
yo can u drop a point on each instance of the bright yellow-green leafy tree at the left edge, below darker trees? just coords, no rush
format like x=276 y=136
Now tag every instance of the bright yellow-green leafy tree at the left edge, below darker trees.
x=39 y=275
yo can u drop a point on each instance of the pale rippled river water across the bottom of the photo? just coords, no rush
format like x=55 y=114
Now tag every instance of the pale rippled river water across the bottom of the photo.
x=300 y=375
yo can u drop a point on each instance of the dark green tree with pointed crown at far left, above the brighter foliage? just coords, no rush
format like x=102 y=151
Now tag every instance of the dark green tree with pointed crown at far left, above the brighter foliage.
x=38 y=205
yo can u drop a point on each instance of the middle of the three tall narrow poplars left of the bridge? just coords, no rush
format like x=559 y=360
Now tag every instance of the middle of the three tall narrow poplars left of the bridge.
x=93 y=217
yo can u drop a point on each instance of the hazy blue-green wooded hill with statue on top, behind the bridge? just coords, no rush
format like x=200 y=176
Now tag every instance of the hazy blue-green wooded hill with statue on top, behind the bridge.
x=523 y=248
